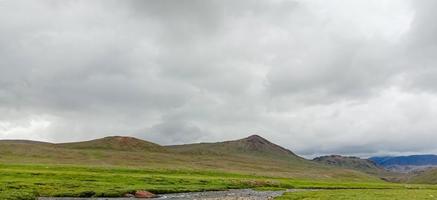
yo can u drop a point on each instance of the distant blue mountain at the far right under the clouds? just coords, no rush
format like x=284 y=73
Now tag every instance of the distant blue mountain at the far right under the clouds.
x=406 y=163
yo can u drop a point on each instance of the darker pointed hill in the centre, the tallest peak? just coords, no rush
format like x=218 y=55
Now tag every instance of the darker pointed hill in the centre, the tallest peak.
x=253 y=145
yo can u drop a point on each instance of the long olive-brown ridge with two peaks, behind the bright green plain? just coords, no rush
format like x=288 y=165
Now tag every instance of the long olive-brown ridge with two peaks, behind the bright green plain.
x=252 y=155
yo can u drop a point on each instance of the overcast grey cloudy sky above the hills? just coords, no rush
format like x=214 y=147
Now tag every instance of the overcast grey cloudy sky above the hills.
x=317 y=77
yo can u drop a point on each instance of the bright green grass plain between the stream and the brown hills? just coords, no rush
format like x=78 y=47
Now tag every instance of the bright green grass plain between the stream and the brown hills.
x=27 y=181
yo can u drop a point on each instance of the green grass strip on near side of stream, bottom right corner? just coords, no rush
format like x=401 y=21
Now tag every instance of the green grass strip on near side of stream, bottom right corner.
x=362 y=194
